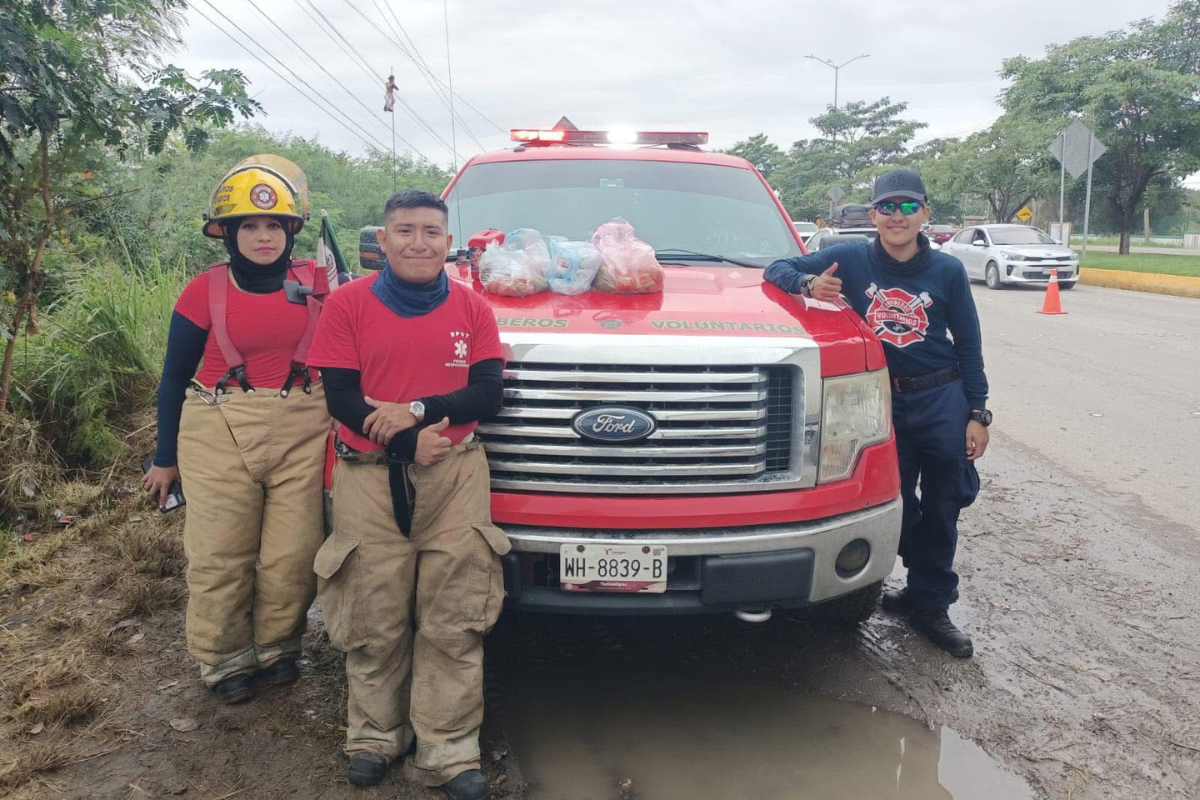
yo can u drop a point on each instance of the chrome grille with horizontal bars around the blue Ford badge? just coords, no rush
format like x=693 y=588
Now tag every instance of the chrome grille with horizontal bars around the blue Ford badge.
x=719 y=429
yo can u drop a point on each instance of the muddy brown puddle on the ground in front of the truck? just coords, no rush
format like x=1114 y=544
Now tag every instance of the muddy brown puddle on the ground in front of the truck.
x=670 y=738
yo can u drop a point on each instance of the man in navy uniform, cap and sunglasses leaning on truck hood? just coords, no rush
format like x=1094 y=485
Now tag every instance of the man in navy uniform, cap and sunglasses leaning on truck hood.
x=919 y=303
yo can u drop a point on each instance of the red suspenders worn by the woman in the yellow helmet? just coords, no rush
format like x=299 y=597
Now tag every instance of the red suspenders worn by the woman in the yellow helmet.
x=310 y=278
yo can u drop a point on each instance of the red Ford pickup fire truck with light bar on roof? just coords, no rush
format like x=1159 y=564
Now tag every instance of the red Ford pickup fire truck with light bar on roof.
x=715 y=447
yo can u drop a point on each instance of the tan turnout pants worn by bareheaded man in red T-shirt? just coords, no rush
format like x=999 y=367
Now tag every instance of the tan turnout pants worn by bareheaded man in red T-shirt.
x=411 y=613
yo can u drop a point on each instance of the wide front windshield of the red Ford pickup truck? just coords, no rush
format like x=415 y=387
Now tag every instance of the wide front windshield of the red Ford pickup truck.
x=703 y=208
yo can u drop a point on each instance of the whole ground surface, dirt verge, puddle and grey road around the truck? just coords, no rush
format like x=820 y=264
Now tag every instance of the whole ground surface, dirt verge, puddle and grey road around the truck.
x=1079 y=585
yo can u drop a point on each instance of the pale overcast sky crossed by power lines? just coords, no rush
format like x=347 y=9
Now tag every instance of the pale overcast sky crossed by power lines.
x=729 y=68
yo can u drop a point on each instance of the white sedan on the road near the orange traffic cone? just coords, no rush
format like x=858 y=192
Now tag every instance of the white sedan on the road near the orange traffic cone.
x=1005 y=255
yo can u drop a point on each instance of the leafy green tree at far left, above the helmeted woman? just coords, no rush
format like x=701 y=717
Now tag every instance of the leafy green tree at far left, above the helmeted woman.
x=77 y=75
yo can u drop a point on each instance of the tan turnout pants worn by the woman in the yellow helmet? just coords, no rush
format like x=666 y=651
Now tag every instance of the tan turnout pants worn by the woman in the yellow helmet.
x=251 y=468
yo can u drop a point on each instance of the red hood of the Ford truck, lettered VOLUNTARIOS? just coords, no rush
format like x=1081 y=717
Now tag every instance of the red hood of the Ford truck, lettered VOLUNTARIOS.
x=695 y=302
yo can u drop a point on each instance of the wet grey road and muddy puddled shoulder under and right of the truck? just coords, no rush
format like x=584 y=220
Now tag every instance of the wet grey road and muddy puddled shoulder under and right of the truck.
x=1078 y=574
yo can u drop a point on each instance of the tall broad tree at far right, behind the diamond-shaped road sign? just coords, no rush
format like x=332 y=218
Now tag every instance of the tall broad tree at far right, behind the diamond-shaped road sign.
x=1138 y=89
